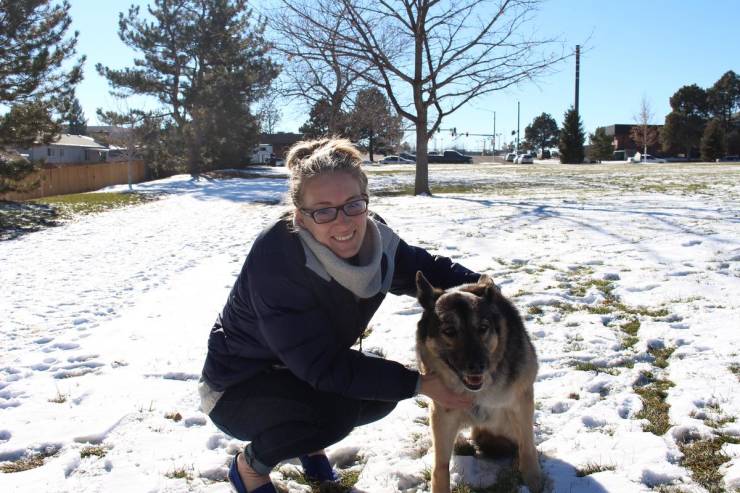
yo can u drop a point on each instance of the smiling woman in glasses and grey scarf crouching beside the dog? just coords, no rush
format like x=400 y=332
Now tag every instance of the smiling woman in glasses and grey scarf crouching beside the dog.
x=280 y=371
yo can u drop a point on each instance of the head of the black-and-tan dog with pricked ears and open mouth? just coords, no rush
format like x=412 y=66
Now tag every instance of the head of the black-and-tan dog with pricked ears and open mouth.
x=462 y=327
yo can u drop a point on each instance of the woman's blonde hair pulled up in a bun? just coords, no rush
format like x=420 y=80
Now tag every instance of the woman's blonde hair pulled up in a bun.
x=310 y=158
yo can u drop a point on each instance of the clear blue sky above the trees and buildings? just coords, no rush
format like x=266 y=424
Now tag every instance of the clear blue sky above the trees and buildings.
x=632 y=49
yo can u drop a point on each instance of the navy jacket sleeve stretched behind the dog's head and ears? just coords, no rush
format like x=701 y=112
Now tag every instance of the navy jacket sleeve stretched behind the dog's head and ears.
x=441 y=271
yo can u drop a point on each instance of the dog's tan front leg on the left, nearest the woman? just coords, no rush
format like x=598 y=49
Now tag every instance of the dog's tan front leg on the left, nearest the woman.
x=445 y=425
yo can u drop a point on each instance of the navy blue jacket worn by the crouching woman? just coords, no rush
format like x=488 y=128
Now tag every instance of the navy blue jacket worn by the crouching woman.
x=280 y=312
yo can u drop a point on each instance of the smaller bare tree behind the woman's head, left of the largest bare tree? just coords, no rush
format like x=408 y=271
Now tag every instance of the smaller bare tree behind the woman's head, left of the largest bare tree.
x=313 y=69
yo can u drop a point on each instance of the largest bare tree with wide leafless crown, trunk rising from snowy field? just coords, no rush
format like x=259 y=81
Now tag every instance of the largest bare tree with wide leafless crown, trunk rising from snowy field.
x=431 y=57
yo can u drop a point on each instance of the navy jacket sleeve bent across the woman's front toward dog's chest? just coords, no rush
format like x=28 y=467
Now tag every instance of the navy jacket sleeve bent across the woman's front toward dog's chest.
x=298 y=330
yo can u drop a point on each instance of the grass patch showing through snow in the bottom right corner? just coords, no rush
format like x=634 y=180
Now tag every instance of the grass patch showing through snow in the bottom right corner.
x=704 y=458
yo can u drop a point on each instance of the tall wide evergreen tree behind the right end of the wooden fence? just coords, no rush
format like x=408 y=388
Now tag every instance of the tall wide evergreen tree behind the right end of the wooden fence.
x=206 y=62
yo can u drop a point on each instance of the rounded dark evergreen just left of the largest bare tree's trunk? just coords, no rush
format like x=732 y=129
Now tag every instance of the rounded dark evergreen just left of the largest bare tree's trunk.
x=372 y=122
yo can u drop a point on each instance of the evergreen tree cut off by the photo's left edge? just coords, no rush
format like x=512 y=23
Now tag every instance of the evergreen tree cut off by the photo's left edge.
x=33 y=47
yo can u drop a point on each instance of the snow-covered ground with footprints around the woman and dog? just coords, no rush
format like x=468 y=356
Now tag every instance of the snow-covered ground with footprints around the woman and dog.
x=105 y=321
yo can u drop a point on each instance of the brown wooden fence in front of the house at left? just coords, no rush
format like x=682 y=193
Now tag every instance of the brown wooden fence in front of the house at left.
x=76 y=178
